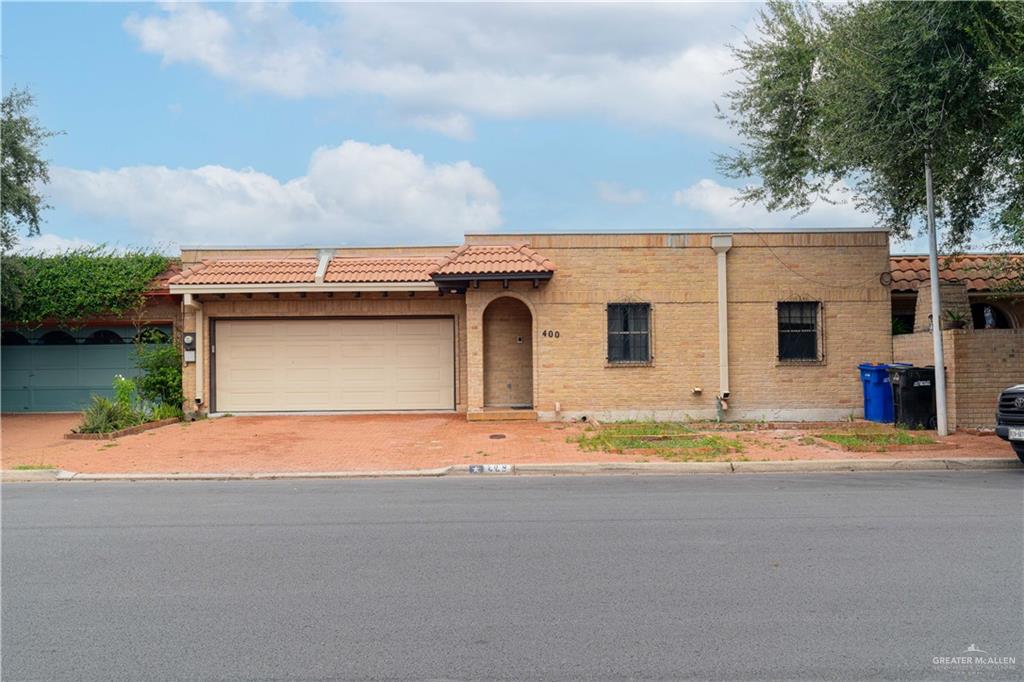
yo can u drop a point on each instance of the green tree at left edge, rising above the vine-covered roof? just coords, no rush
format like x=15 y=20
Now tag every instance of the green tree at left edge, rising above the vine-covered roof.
x=23 y=169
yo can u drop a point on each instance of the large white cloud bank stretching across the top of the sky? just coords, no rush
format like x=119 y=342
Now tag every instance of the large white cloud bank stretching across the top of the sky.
x=646 y=64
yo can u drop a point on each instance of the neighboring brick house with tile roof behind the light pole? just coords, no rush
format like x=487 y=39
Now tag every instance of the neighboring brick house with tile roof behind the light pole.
x=984 y=358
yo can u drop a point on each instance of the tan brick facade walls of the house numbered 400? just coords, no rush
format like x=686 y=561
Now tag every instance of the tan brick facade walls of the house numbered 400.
x=676 y=275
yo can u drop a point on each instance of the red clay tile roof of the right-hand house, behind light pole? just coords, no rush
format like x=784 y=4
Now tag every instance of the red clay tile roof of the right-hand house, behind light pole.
x=978 y=272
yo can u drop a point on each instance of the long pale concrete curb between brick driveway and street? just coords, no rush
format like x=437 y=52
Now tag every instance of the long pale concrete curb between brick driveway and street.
x=608 y=468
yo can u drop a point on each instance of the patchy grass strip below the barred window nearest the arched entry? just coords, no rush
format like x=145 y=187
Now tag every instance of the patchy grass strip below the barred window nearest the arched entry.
x=666 y=440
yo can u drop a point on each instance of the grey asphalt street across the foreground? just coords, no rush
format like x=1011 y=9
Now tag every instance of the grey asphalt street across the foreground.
x=837 y=576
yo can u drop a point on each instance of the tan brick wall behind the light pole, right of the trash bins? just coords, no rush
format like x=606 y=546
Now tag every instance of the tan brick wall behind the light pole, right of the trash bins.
x=979 y=365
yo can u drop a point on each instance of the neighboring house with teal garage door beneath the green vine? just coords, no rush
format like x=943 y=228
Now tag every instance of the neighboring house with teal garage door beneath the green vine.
x=58 y=368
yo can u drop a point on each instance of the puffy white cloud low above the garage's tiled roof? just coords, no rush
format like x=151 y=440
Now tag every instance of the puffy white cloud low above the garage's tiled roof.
x=353 y=194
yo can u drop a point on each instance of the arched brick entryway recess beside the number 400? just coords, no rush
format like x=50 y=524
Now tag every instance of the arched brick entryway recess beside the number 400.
x=508 y=355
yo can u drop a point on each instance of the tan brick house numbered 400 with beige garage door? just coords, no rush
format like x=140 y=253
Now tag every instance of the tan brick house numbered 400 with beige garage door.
x=611 y=326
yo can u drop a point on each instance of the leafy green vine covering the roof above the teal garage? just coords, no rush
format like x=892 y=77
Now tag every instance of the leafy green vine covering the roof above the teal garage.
x=76 y=285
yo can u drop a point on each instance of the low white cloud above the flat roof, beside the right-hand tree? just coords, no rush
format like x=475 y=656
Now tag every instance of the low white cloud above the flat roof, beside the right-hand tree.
x=718 y=203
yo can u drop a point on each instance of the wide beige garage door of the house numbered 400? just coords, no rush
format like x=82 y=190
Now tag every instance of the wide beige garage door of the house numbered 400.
x=309 y=365
